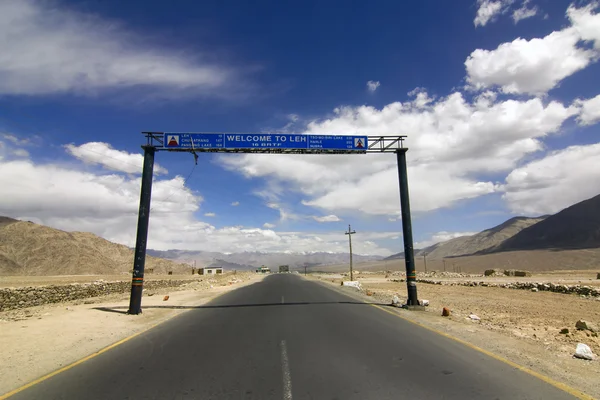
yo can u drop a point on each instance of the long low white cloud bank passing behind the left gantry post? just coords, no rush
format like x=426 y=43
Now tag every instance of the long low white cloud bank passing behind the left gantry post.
x=67 y=198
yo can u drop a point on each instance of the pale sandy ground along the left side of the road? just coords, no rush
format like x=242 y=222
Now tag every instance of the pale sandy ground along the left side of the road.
x=39 y=340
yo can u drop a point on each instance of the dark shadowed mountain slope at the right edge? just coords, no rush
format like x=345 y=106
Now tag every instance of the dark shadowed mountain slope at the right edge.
x=575 y=227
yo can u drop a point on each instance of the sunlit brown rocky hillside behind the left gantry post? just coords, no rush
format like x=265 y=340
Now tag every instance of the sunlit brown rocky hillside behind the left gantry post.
x=31 y=249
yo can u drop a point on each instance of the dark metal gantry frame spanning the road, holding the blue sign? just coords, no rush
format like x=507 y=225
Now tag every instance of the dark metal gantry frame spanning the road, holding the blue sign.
x=376 y=144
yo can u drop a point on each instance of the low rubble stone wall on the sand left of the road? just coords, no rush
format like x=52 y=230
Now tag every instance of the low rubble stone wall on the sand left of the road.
x=11 y=299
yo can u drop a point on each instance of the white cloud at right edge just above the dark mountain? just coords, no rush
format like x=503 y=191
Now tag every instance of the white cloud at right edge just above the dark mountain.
x=554 y=182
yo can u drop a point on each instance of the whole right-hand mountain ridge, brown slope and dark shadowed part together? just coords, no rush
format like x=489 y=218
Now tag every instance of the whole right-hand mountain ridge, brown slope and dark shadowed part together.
x=575 y=227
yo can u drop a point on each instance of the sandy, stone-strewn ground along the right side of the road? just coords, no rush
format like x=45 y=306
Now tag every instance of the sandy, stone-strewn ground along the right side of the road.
x=520 y=325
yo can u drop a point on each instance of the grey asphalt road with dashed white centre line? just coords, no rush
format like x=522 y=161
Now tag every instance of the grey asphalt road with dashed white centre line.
x=289 y=338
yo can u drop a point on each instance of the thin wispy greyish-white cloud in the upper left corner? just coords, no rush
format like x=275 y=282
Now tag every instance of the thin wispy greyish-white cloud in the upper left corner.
x=50 y=49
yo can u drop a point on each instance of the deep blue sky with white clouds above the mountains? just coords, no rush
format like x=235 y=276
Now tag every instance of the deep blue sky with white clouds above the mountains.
x=499 y=100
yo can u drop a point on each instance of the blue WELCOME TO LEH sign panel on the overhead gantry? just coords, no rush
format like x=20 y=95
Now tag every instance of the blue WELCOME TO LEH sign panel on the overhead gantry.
x=233 y=141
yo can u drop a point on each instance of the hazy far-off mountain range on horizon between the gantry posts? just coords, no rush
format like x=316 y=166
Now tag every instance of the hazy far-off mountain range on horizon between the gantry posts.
x=252 y=260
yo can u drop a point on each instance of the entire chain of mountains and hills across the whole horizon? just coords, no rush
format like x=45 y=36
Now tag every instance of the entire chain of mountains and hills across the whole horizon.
x=31 y=249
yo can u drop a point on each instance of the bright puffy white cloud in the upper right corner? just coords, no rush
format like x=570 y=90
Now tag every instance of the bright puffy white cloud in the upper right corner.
x=537 y=65
